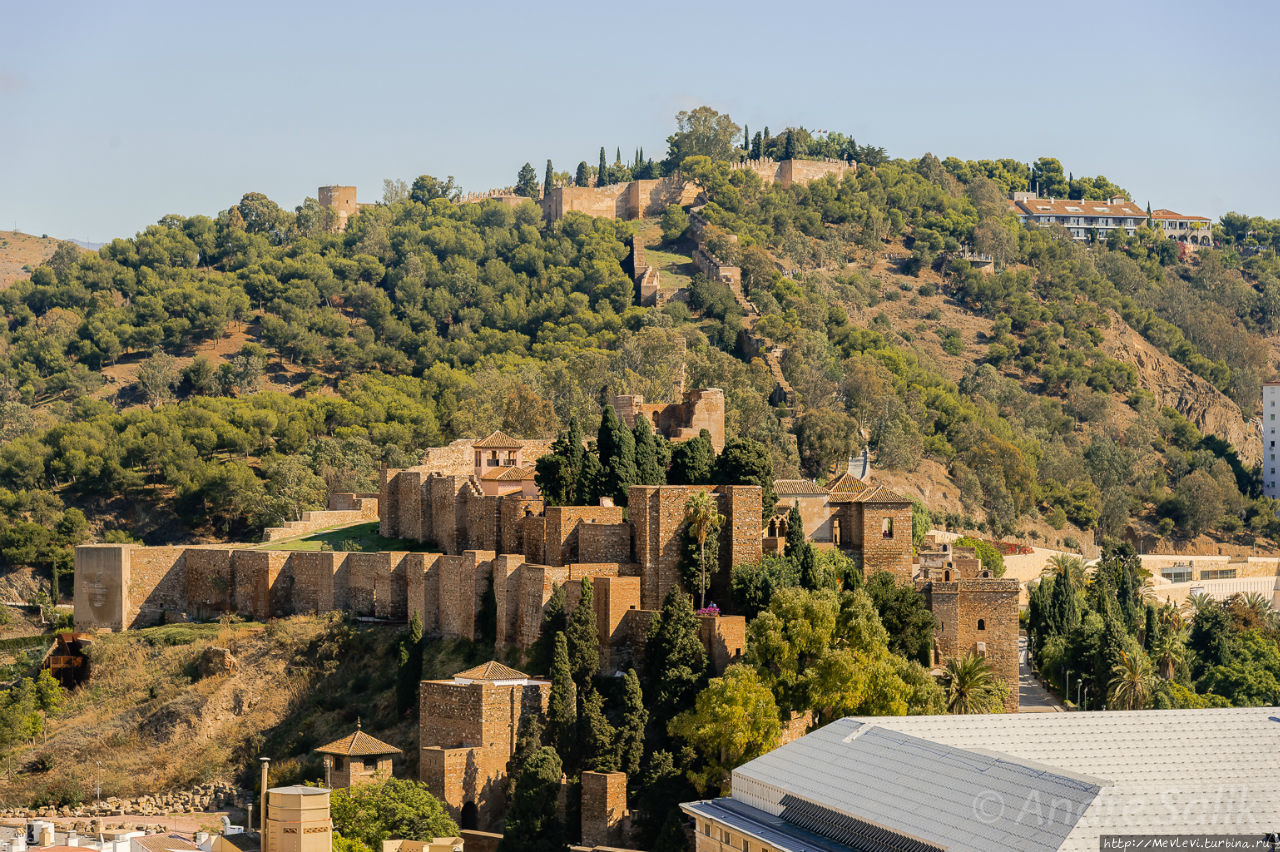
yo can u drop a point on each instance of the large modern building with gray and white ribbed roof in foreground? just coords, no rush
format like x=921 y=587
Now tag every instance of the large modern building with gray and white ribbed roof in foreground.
x=1041 y=782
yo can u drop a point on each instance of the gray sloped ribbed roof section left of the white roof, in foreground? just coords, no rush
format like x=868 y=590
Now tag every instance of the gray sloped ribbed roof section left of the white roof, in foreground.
x=954 y=798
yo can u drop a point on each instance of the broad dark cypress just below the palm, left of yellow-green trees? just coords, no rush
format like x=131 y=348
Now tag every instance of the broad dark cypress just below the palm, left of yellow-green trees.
x=675 y=658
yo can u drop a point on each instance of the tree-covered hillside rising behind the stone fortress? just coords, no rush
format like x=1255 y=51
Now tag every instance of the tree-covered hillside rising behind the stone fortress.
x=213 y=375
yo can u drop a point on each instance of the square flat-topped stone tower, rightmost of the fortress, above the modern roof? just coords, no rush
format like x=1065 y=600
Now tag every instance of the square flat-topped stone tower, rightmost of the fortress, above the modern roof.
x=980 y=616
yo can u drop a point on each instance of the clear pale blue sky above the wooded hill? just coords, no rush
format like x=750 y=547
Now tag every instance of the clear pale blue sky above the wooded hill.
x=113 y=116
